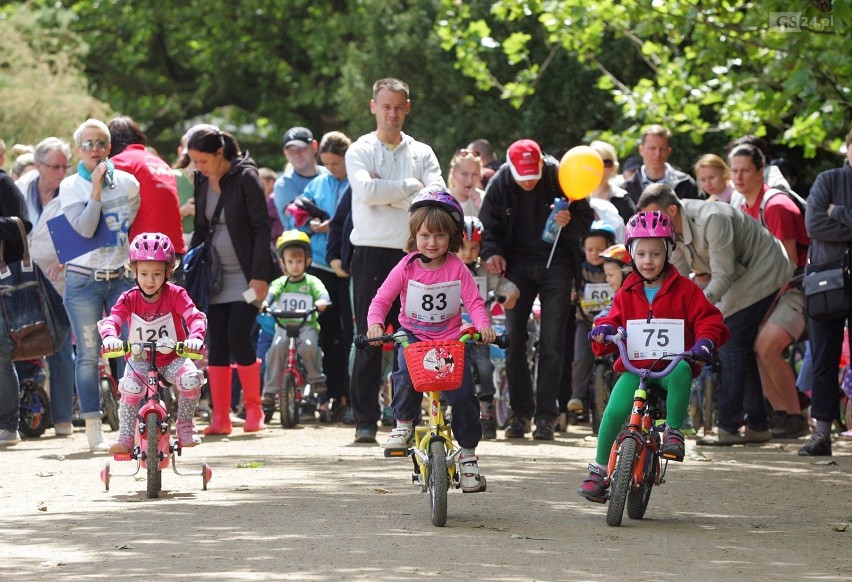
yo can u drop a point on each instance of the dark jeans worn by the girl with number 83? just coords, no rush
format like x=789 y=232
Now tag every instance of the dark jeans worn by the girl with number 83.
x=465 y=421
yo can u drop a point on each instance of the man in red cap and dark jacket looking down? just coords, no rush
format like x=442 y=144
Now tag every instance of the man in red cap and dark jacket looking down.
x=514 y=211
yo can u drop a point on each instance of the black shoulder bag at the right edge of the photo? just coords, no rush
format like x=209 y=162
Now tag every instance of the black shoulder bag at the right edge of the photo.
x=827 y=288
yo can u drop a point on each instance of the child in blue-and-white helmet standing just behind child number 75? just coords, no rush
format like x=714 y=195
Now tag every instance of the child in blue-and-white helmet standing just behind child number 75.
x=593 y=296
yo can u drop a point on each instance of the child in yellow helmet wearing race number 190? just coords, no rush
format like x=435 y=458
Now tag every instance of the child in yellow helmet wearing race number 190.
x=296 y=290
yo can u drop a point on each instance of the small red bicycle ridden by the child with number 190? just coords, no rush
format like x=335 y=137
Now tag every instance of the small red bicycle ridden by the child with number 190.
x=292 y=393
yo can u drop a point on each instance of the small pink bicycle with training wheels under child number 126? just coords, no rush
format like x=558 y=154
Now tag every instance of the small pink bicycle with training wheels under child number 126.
x=155 y=447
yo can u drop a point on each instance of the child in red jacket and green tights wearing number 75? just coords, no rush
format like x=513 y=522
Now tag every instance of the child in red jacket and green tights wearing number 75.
x=661 y=308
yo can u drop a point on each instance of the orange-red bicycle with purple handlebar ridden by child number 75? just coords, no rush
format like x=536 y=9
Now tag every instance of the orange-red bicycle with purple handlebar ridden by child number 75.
x=636 y=462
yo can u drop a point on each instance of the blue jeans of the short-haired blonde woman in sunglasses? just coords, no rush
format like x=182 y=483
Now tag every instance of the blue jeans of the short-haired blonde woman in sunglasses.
x=87 y=302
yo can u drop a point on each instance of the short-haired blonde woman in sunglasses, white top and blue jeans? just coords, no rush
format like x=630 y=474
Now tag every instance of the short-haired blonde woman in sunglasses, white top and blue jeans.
x=97 y=194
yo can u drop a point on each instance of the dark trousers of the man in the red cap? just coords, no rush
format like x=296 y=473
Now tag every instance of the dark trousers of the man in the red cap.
x=553 y=286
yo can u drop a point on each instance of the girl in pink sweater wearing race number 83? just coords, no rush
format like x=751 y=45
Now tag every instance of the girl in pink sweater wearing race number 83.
x=431 y=283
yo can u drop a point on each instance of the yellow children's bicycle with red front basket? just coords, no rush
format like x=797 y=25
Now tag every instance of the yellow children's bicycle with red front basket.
x=434 y=366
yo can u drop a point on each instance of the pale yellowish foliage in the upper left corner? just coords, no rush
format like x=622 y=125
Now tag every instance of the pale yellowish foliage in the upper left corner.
x=42 y=86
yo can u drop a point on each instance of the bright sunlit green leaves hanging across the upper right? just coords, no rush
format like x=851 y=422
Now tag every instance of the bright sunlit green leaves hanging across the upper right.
x=702 y=68
